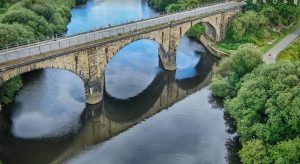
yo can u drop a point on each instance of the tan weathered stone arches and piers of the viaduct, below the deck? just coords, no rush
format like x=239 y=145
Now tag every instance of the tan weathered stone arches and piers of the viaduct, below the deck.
x=90 y=60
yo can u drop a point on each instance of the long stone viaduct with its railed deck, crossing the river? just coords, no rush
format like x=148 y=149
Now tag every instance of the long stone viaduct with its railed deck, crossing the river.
x=87 y=55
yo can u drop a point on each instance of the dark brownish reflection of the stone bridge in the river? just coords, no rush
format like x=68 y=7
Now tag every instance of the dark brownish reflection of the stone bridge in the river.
x=112 y=117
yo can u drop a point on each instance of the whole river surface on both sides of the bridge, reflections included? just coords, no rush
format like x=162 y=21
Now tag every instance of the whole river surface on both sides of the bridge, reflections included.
x=148 y=115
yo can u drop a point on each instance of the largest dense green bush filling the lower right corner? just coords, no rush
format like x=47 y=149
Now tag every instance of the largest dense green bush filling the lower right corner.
x=266 y=109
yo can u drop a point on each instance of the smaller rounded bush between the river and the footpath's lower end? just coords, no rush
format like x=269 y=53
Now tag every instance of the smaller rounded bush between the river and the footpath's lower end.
x=227 y=81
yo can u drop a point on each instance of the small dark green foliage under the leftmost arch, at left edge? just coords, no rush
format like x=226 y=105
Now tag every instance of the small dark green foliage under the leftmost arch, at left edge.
x=9 y=89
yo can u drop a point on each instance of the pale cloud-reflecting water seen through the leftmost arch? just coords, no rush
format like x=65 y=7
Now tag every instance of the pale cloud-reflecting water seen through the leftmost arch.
x=50 y=104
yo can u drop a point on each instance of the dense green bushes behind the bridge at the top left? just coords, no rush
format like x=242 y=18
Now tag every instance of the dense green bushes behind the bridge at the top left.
x=43 y=18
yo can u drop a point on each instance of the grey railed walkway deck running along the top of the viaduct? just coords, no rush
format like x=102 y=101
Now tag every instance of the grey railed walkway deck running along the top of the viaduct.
x=56 y=42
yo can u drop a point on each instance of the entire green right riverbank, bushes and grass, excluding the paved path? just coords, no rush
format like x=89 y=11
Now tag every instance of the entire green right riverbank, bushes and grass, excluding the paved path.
x=260 y=97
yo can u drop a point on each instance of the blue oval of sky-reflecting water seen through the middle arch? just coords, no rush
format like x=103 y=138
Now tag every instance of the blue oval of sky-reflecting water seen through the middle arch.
x=132 y=69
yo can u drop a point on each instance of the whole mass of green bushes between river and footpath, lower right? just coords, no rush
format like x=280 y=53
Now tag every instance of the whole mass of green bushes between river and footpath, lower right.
x=264 y=100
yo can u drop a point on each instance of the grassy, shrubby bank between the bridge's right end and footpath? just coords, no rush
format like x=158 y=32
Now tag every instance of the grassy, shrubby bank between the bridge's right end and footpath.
x=261 y=24
